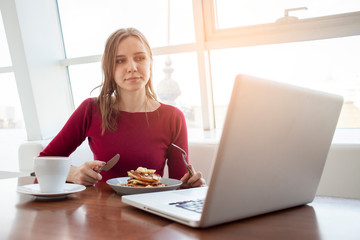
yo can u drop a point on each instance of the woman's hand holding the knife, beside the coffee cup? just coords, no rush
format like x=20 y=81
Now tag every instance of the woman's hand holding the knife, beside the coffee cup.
x=86 y=174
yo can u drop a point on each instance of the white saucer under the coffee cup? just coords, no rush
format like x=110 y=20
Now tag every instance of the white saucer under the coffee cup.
x=34 y=189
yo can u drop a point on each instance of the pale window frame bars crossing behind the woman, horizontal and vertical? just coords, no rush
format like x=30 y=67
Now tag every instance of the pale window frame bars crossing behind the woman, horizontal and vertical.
x=209 y=38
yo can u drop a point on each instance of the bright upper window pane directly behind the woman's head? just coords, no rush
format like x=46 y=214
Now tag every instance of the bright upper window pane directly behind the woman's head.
x=87 y=24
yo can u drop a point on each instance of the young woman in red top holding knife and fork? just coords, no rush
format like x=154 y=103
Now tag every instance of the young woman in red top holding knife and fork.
x=126 y=118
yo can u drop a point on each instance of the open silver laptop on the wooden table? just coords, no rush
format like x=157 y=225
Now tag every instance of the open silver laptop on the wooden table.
x=271 y=155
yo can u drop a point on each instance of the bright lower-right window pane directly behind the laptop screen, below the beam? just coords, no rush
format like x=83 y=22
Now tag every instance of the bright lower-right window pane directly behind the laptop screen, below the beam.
x=328 y=65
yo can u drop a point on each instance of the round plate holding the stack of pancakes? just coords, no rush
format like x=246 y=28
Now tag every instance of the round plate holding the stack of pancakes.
x=172 y=184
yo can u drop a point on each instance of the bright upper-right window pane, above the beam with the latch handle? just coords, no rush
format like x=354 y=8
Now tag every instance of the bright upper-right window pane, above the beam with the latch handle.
x=236 y=13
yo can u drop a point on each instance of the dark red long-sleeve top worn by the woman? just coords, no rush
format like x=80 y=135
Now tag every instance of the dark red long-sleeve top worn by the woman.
x=141 y=139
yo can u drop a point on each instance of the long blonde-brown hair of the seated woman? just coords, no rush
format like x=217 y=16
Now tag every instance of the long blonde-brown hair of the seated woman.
x=109 y=94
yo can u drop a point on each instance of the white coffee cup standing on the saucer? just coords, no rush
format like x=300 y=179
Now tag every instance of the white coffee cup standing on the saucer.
x=51 y=173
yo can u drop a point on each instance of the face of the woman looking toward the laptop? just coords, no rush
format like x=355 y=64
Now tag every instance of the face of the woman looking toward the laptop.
x=133 y=63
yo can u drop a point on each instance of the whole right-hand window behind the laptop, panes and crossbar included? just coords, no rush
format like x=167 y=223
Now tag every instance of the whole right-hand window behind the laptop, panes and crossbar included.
x=308 y=43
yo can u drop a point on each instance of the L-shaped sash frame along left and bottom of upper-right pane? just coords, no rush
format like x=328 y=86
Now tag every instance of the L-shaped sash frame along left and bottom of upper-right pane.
x=331 y=26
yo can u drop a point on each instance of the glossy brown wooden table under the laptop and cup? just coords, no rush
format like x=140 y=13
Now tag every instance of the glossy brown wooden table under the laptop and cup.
x=98 y=213
